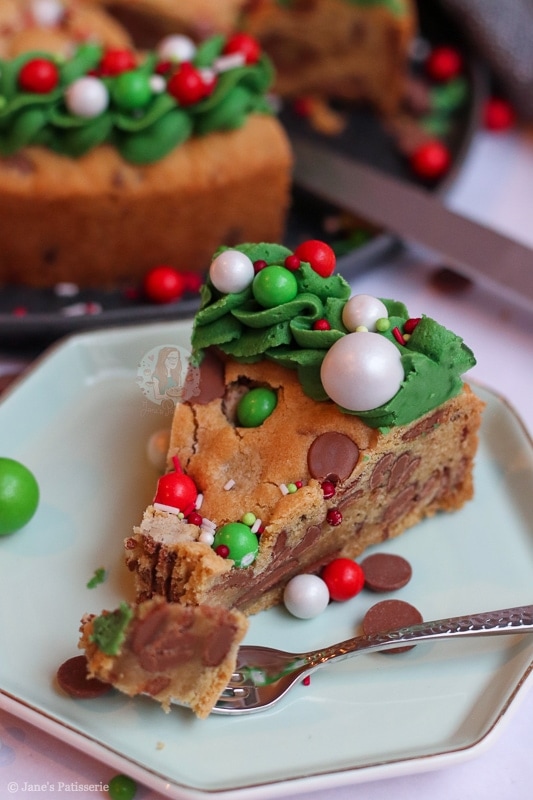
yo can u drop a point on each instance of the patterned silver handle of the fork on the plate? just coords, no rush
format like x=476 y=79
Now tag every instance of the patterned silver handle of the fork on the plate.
x=506 y=621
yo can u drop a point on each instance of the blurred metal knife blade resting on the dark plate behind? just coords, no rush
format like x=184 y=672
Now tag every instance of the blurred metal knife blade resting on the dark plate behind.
x=416 y=215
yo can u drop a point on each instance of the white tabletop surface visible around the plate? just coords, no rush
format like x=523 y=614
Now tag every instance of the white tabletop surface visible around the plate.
x=496 y=188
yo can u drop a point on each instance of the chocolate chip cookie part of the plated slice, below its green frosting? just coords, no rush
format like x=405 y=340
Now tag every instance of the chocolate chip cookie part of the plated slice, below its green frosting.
x=392 y=482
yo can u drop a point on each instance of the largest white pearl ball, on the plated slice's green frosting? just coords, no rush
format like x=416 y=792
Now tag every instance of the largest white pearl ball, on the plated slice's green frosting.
x=362 y=371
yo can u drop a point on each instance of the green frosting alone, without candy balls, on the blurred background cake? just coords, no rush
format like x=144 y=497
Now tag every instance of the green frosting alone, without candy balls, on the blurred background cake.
x=142 y=135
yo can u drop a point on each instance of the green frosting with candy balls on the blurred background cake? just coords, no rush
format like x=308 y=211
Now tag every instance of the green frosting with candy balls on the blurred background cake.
x=145 y=105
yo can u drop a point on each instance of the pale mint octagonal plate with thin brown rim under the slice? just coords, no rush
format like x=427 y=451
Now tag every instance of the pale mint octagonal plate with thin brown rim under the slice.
x=81 y=420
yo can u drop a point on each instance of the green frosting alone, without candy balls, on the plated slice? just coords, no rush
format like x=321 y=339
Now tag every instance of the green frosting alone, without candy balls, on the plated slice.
x=433 y=357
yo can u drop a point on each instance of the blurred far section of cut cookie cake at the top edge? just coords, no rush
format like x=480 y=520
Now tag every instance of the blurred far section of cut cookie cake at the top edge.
x=349 y=49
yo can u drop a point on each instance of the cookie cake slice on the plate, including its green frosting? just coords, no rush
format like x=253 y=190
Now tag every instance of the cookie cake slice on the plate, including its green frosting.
x=317 y=424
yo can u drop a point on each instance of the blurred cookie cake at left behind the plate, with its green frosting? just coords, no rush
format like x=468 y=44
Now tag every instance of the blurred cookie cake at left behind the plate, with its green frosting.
x=113 y=161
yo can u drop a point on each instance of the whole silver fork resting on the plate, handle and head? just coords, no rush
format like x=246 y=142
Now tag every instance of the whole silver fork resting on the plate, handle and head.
x=264 y=675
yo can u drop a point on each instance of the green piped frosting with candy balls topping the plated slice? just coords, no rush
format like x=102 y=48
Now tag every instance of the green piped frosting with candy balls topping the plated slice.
x=263 y=301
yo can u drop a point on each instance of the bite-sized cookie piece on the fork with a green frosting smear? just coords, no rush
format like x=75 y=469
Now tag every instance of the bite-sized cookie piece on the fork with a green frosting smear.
x=166 y=651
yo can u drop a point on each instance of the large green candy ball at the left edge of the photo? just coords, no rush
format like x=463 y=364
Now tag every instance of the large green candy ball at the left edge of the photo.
x=19 y=495
